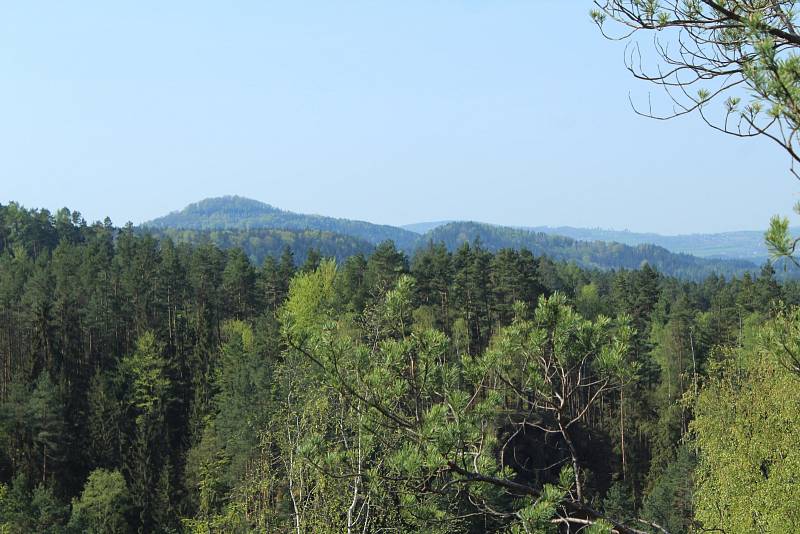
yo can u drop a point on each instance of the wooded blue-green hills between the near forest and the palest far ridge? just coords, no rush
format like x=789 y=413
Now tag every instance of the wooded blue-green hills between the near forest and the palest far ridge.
x=262 y=230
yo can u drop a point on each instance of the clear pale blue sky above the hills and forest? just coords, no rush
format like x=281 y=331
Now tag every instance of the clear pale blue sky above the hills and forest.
x=513 y=112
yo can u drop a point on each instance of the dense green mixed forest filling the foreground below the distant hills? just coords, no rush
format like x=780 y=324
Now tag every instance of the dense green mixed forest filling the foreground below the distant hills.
x=149 y=386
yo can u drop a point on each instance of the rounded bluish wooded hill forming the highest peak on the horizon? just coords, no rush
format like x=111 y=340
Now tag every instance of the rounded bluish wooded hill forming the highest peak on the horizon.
x=237 y=213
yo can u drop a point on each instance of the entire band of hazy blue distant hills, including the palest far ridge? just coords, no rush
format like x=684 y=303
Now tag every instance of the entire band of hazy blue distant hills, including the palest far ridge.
x=263 y=230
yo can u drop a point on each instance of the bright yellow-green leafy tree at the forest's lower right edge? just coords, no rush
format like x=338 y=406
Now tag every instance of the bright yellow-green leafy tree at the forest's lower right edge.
x=746 y=429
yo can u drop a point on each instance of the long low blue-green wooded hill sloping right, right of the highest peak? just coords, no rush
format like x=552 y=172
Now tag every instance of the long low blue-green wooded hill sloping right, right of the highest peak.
x=595 y=254
